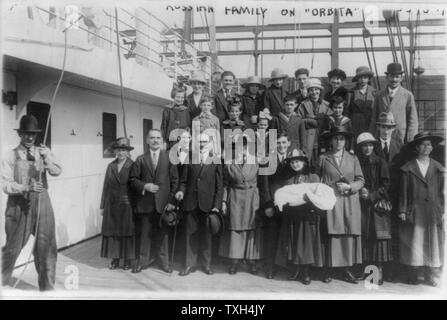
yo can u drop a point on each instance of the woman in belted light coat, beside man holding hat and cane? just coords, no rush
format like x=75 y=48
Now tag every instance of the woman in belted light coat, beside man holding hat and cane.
x=243 y=237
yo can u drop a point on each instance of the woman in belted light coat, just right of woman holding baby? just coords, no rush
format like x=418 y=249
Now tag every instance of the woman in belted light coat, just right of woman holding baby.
x=341 y=170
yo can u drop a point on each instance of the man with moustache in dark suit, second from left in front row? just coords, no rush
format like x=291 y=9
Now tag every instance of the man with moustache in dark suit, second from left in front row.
x=155 y=180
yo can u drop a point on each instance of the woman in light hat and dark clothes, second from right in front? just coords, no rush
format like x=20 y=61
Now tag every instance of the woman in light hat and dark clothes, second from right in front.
x=376 y=226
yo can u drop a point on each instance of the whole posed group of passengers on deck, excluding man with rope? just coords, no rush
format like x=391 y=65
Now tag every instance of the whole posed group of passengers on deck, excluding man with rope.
x=362 y=143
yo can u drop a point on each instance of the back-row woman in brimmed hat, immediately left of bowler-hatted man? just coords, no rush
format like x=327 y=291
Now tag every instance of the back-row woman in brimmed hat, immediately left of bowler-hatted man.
x=360 y=104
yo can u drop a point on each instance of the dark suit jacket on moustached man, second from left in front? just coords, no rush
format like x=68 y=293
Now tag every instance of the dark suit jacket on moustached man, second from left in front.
x=165 y=176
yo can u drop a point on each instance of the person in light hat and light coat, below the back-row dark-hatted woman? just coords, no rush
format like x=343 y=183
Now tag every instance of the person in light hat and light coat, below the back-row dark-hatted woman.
x=314 y=111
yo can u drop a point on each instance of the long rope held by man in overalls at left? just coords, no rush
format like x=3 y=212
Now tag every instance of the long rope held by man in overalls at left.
x=44 y=142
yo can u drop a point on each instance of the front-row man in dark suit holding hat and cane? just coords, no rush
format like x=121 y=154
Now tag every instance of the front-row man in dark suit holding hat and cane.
x=201 y=190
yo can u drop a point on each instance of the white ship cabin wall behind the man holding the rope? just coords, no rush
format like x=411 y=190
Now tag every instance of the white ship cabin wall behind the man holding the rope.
x=76 y=193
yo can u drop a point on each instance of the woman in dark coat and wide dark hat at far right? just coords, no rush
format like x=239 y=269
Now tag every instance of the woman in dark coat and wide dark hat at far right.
x=421 y=209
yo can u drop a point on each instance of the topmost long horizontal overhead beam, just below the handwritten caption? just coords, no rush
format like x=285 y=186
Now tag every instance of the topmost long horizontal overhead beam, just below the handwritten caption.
x=303 y=26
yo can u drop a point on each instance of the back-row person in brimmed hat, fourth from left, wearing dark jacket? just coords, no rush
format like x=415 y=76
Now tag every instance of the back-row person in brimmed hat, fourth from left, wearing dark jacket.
x=275 y=94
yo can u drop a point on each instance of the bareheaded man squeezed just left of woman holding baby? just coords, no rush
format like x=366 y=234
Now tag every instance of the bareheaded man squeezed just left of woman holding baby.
x=272 y=216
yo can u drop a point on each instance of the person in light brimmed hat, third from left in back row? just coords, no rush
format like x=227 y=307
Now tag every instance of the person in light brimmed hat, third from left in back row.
x=252 y=101
